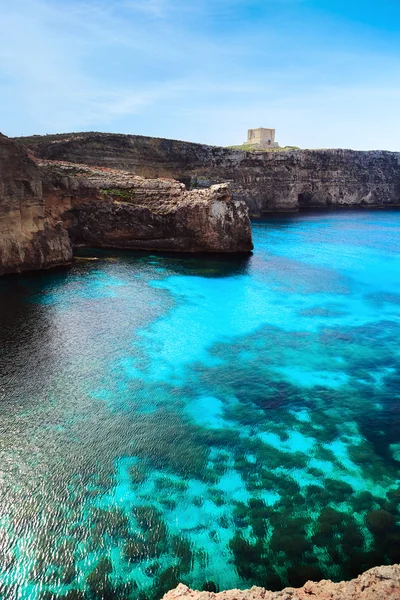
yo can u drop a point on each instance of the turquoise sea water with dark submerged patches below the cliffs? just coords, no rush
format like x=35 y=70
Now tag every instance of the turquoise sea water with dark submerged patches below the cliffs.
x=217 y=421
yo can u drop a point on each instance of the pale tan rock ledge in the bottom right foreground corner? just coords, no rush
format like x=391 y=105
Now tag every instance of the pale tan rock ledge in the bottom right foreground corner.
x=380 y=583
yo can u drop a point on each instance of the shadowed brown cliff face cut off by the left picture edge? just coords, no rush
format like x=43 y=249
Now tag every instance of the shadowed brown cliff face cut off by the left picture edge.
x=28 y=239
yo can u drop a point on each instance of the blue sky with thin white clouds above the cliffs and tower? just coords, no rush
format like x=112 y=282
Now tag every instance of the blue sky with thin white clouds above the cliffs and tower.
x=323 y=73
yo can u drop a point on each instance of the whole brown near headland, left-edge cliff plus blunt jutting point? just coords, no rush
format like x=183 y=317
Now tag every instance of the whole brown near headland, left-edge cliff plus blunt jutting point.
x=49 y=207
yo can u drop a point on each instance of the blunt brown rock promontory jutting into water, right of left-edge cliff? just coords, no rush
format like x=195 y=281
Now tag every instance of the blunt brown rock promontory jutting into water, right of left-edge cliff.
x=109 y=208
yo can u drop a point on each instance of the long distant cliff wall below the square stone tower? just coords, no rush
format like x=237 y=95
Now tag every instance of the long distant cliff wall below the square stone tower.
x=267 y=181
